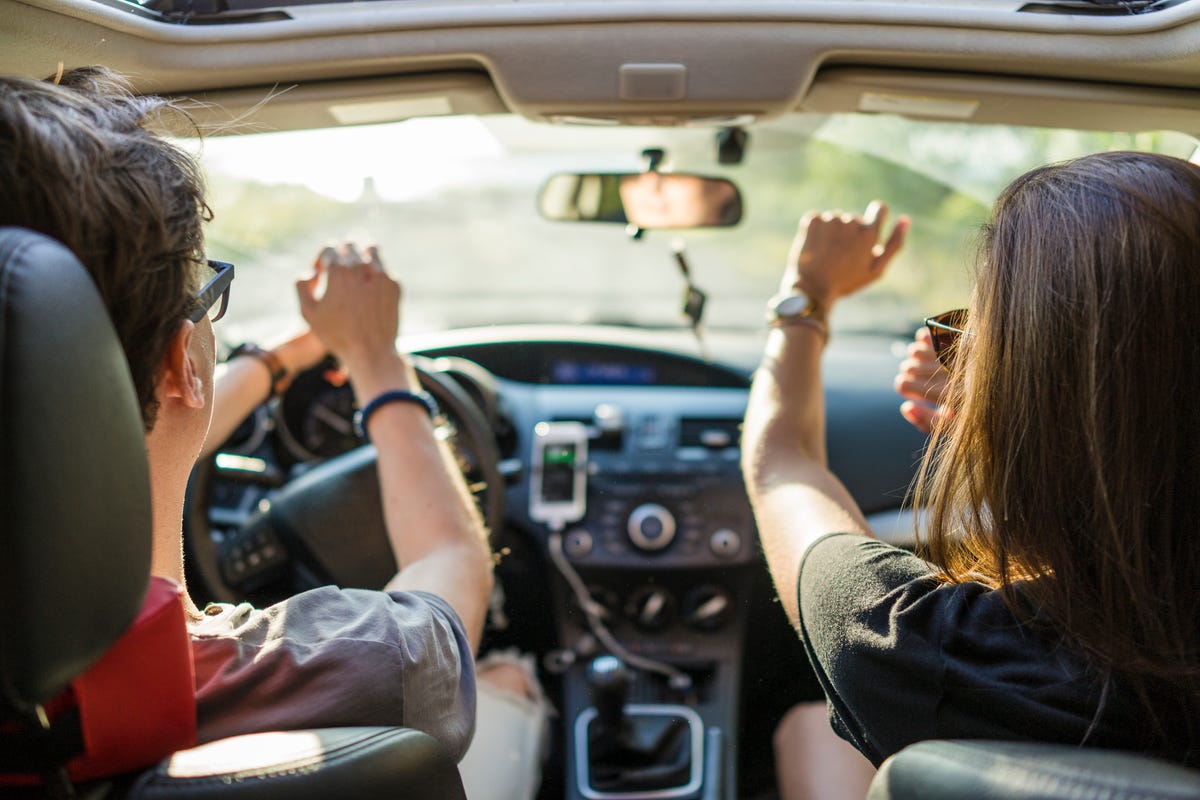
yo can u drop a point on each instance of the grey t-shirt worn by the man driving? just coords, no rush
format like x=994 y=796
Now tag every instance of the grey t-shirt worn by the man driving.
x=335 y=658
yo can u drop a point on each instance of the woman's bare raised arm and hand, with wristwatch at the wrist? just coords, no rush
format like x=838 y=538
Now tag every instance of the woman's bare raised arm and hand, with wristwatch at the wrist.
x=796 y=498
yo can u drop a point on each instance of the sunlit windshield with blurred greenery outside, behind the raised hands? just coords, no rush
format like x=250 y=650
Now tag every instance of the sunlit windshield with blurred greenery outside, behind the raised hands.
x=452 y=202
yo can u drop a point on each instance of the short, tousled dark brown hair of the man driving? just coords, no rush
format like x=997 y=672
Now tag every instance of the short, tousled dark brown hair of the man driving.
x=80 y=164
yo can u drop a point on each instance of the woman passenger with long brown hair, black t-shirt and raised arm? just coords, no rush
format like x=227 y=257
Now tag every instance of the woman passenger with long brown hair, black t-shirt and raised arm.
x=1061 y=596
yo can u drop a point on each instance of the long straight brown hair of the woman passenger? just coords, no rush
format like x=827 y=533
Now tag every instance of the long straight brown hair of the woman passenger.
x=1070 y=476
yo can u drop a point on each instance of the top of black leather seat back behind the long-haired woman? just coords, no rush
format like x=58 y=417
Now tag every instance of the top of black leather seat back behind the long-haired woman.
x=1007 y=771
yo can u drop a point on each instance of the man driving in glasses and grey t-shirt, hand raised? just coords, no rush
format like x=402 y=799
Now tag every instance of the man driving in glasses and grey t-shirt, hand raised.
x=80 y=164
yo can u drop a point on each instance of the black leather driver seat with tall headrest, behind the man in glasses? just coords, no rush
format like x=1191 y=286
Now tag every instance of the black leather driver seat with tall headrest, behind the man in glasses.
x=75 y=533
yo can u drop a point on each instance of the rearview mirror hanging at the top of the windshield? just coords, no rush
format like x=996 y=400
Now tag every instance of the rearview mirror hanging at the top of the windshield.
x=646 y=201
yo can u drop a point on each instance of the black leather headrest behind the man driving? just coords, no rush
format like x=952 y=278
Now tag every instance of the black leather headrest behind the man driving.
x=75 y=491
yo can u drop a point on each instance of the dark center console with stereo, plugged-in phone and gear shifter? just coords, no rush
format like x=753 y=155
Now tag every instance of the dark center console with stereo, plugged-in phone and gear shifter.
x=646 y=518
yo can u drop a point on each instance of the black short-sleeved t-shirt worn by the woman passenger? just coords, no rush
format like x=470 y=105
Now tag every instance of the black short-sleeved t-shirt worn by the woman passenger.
x=904 y=659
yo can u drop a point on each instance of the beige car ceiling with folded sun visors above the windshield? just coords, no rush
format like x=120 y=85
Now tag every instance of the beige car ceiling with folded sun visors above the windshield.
x=620 y=62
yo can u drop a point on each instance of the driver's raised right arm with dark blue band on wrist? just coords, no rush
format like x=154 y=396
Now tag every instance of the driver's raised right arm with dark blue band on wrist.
x=435 y=531
